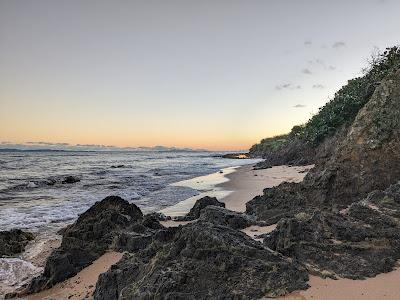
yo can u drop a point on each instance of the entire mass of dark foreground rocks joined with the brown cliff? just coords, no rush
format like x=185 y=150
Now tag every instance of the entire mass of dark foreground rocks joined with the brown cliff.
x=341 y=221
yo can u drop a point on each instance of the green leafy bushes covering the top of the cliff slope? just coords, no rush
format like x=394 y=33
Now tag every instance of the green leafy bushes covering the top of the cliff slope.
x=342 y=109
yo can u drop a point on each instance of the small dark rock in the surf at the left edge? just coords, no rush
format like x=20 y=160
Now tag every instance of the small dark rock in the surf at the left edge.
x=14 y=241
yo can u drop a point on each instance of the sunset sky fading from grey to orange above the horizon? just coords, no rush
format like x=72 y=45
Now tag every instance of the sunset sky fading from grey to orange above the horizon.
x=219 y=75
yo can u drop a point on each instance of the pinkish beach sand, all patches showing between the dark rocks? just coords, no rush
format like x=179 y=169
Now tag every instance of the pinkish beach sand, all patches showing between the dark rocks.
x=238 y=185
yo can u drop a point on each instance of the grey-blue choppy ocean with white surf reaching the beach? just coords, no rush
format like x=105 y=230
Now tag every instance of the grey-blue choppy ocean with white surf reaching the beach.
x=34 y=197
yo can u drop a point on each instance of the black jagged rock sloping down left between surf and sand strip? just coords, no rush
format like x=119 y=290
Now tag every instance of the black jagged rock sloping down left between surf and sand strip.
x=87 y=239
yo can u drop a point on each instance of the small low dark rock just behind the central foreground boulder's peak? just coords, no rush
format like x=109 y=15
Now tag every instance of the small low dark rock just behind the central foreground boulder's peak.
x=221 y=216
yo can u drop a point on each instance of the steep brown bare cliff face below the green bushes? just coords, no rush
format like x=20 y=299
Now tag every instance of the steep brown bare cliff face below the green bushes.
x=365 y=159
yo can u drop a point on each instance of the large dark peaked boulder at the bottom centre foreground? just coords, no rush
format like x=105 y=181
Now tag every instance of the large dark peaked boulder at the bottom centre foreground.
x=201 y=261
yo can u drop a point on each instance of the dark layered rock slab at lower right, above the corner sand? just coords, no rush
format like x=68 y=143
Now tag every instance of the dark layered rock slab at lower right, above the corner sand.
x=360 y=242
